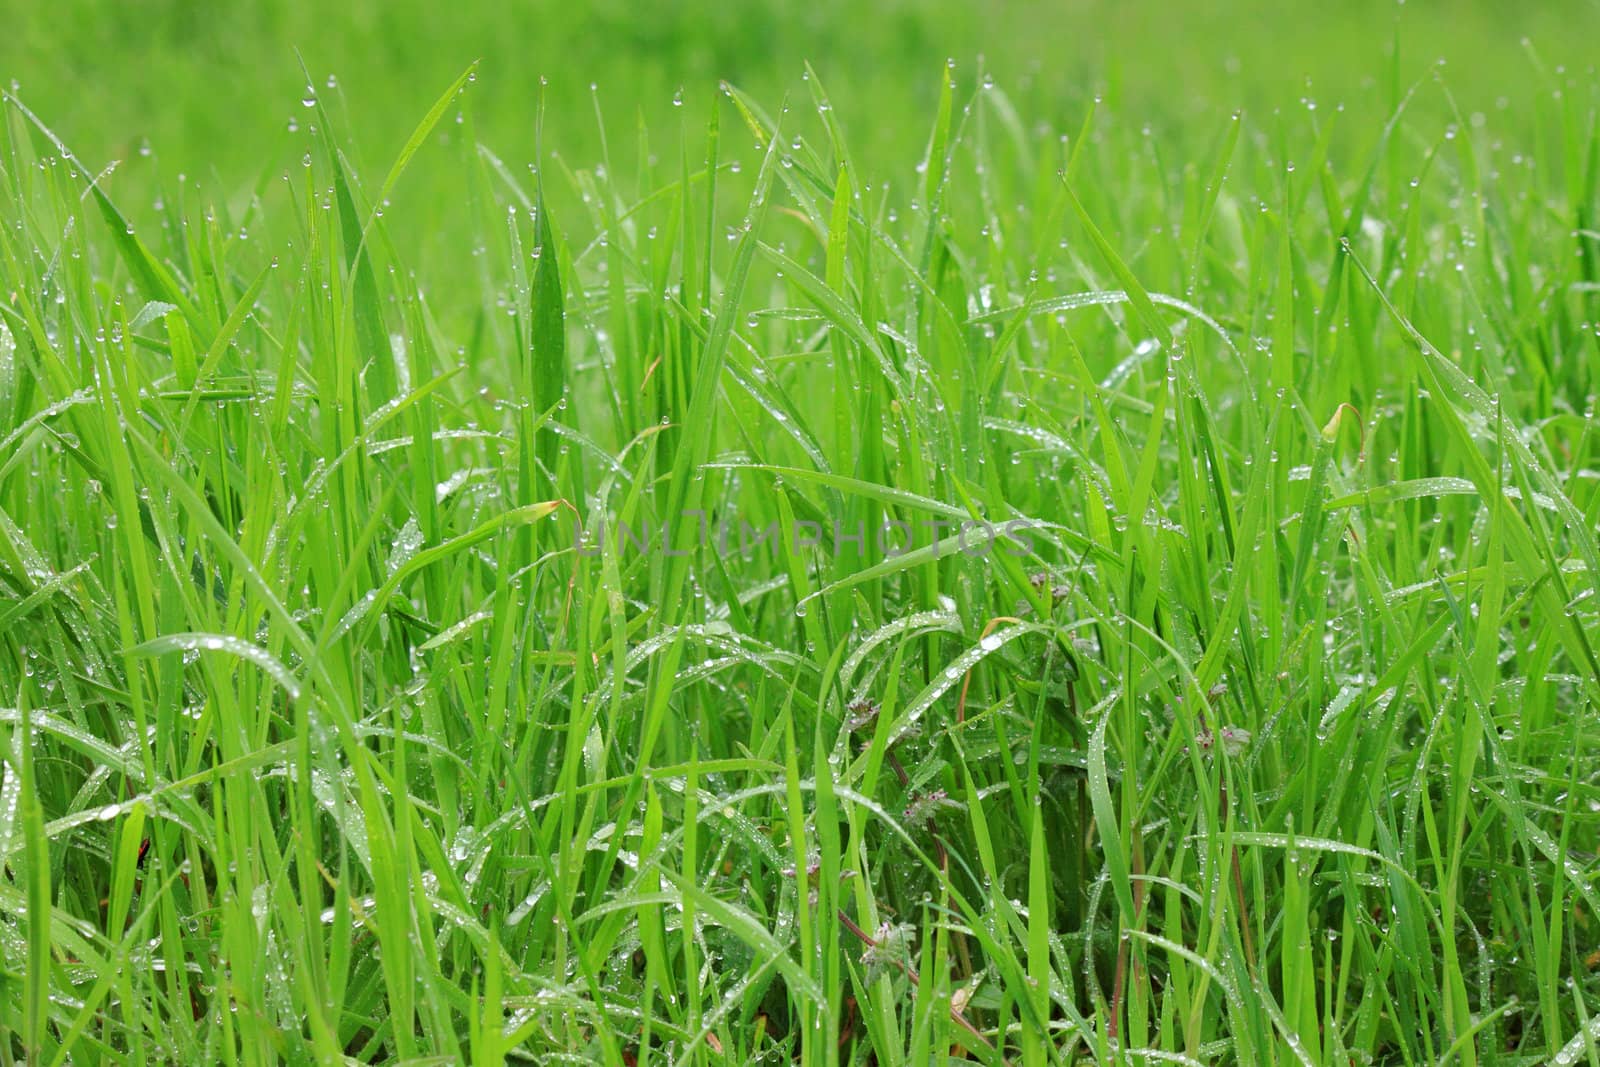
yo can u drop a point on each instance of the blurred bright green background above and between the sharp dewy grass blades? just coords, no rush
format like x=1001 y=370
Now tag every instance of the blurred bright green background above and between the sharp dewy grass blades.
x=201 y=106
